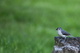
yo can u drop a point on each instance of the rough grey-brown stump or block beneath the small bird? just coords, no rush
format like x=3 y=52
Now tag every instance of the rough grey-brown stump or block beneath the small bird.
x=67 y=45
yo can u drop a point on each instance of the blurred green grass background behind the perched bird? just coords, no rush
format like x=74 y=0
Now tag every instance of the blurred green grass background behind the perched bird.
x=28 y=26
